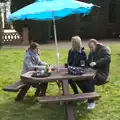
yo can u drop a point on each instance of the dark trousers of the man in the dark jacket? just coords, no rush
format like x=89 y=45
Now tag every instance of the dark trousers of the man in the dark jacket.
x=87 y=86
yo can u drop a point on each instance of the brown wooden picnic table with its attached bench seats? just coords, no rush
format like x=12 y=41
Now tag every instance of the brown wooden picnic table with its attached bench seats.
x=62 y=75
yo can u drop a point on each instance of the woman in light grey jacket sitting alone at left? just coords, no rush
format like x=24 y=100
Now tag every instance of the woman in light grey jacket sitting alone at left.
x=32 y=62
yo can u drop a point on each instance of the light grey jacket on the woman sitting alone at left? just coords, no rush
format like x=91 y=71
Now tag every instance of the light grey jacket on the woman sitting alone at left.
x=32 y=62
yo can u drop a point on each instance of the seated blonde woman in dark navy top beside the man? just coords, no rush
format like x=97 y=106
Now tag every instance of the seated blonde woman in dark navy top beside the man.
x=77 y=58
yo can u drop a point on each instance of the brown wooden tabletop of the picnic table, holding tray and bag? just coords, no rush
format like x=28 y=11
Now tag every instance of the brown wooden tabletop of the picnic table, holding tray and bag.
x=61 y=75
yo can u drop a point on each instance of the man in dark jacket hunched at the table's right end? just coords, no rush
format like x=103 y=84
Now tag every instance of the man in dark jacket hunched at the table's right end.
x=99 y=59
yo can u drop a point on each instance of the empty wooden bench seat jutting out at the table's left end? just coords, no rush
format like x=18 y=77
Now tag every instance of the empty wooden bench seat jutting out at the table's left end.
x=15 y=86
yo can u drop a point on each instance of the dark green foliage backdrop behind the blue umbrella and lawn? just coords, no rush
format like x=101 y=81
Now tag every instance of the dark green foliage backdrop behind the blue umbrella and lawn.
x=95 y=25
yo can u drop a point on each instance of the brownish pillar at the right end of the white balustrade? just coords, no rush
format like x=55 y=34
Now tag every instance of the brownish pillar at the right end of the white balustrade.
x=25 y=36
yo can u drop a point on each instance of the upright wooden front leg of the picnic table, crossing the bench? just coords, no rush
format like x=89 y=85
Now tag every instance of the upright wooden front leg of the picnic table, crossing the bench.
x=68 y=105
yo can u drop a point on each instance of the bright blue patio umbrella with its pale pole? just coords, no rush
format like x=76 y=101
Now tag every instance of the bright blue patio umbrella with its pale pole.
x=51 y=10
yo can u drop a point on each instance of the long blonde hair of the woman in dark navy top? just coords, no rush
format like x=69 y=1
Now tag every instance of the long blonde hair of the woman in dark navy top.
x=76 y=43
